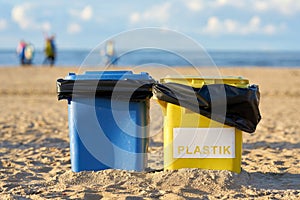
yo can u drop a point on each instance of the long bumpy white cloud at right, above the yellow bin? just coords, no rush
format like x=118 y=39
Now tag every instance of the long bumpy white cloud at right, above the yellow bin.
x=215 y=26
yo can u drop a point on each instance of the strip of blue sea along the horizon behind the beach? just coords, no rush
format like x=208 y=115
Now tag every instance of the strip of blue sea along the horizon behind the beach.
x=75 y=58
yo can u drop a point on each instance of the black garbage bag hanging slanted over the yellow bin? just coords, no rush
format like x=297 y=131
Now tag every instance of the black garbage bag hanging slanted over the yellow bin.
x=241 y=104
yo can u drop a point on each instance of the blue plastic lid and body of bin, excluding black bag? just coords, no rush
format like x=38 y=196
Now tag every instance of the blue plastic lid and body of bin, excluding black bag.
x=98 y=140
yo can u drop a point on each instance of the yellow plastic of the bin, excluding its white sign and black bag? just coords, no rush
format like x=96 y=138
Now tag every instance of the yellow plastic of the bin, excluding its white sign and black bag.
x=179 y=117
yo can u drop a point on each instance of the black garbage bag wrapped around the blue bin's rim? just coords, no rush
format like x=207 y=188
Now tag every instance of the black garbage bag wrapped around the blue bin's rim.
x=119 y=89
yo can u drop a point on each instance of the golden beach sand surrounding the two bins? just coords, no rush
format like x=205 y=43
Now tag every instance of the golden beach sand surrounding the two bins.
x=35 y=158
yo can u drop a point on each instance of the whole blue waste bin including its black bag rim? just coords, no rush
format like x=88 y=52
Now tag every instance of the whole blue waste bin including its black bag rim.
x=108 y=119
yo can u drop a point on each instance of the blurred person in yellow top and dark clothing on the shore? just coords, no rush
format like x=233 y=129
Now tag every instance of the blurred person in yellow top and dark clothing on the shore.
x=50 y=50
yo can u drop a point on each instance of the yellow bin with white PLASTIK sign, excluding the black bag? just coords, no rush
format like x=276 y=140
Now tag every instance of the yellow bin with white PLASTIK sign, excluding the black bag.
x=192 y=140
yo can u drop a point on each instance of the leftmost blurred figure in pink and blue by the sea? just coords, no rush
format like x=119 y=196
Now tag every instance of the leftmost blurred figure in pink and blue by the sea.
x=25 y=52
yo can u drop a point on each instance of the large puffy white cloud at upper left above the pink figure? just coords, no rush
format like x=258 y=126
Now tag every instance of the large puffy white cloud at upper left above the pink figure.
x=23 y=15
